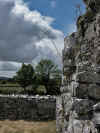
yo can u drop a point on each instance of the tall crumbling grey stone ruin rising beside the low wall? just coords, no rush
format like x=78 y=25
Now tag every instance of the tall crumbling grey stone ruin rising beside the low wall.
x=78 y=108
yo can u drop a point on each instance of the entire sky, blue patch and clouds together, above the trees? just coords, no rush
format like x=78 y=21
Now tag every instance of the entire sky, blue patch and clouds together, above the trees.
x=31 y=30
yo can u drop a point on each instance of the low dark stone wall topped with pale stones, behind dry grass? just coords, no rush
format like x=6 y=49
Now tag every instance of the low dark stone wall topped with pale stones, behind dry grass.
x=27 y=108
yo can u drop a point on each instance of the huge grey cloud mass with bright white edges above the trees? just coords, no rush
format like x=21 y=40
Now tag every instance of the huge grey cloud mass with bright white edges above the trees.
x=26 y=35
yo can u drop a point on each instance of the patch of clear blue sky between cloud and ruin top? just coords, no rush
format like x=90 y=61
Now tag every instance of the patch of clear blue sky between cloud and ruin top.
x=63 y=11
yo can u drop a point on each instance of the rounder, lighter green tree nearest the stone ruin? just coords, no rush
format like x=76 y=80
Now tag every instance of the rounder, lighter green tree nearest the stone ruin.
x=47 y=72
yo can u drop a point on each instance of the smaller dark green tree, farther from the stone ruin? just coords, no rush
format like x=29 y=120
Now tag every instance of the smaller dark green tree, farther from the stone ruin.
x=25 y=76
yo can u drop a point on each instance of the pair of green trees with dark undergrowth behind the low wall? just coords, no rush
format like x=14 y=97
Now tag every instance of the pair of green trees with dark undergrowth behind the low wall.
x=44 y=79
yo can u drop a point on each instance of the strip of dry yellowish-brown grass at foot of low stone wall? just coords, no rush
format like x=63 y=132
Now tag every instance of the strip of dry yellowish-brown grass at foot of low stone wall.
x=27 y=127
